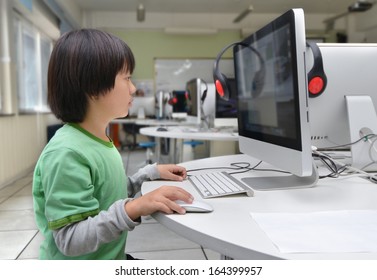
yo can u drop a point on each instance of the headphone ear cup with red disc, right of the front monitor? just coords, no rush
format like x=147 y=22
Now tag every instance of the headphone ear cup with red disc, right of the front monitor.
x=317 y=79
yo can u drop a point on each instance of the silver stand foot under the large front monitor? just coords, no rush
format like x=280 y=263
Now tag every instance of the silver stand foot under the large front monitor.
x=282 y=182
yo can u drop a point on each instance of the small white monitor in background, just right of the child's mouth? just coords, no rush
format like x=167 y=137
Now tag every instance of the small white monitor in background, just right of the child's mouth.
x=143 y=106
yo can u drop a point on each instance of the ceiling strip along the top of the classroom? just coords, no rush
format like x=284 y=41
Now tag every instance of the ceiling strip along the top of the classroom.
x=218 y=6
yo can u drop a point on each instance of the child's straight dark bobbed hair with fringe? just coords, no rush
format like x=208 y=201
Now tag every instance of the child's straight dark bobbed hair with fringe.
x=84 y=64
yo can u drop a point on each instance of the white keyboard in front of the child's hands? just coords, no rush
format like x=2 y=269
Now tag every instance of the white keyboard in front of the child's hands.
x=217 y=184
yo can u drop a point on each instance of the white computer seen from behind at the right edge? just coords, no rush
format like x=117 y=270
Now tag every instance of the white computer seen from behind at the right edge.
x=351 y=71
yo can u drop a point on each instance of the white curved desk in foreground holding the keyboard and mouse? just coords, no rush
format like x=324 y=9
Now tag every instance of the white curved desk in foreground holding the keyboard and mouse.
x=231 y=231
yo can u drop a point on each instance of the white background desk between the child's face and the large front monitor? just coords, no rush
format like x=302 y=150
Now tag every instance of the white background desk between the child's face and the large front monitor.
x=179 y=133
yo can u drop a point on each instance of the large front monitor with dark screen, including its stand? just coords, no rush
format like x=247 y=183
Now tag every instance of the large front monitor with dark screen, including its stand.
x=273 y=116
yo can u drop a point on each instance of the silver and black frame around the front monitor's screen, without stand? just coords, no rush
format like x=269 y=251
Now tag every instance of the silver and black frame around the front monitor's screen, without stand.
x=293 y=155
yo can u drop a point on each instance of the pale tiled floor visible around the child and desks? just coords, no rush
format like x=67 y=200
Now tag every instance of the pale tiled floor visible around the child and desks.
x=20 y=238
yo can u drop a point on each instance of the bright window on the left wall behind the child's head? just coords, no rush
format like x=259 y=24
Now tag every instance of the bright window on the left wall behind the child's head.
x=33 y=53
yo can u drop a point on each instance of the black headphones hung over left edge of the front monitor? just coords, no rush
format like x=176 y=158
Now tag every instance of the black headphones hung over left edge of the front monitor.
x=221 y=81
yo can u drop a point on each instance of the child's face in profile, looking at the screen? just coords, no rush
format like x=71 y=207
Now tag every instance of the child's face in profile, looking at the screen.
x=119 y=99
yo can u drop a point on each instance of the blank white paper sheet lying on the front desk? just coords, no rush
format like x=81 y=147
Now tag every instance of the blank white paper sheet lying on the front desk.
x=321 y=232
